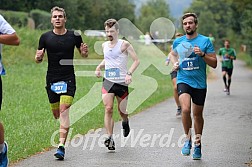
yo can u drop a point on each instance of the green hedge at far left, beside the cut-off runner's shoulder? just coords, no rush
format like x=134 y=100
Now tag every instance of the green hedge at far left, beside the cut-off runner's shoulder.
x=19 y=19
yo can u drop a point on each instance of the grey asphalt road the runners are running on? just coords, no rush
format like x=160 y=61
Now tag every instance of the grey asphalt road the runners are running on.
x=156 y=136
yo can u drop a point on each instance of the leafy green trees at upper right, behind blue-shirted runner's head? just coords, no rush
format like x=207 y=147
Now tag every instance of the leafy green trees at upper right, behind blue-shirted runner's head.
x=225 y=19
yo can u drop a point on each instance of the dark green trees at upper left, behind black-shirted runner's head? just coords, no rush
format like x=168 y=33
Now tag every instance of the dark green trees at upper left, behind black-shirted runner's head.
x=81 y=14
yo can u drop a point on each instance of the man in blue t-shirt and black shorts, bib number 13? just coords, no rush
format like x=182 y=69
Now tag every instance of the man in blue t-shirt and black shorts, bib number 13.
x=194 y=51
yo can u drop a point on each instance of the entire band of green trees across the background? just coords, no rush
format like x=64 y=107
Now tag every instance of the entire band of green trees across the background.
x=223 y=18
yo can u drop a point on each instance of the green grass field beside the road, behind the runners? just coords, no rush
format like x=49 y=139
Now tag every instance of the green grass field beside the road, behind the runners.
x=26 y=115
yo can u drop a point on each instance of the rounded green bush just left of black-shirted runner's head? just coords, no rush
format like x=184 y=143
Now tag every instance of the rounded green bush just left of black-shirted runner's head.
x=41 y=19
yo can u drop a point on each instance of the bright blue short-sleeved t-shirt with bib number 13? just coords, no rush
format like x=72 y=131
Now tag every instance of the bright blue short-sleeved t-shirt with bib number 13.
x=192 y=67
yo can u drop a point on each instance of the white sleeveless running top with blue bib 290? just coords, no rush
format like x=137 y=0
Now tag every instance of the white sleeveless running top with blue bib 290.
x=115 y=62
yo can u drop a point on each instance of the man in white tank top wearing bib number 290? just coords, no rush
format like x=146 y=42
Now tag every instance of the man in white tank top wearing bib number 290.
x=116 y=78
